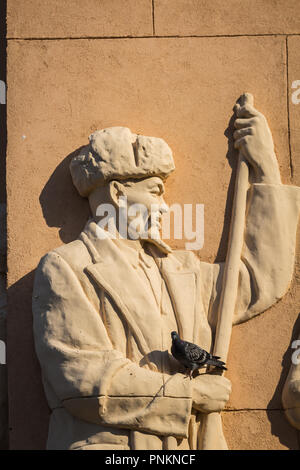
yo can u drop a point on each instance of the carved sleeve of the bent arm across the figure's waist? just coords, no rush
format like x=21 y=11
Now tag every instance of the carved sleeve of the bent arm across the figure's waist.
x=90 y=378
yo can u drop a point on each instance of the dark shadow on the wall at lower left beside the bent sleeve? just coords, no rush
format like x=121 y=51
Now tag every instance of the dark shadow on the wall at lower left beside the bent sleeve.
x=28 y=409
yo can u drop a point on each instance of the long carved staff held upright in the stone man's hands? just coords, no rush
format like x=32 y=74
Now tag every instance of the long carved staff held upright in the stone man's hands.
x=212 y=434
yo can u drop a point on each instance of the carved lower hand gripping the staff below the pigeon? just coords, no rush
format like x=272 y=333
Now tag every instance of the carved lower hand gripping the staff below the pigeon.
x=210 y=392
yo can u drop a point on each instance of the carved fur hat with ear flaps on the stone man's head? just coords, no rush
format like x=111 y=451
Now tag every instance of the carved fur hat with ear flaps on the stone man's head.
x=116 y=153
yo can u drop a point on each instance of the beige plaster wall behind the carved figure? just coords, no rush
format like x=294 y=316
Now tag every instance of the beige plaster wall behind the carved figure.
x=74 y=67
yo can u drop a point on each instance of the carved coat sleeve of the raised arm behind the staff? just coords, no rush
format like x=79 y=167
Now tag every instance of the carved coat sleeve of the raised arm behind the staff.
x=267 y=259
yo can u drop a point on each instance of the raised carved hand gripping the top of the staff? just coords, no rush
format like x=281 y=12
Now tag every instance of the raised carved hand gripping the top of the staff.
x=254 y=139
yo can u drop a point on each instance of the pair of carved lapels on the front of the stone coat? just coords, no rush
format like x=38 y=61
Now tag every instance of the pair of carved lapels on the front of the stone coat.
x=112 y=272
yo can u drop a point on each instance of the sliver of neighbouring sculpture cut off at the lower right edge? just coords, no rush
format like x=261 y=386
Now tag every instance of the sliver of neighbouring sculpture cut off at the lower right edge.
x=291 y=391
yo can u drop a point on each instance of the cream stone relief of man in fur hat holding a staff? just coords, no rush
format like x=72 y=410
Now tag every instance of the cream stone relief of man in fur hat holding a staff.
x=104 y=306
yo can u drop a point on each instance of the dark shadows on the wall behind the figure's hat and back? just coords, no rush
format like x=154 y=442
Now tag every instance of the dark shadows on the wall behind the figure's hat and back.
x=29 y=413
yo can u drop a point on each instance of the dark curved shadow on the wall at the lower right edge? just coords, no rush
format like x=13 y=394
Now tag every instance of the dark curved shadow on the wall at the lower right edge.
x=276 y=420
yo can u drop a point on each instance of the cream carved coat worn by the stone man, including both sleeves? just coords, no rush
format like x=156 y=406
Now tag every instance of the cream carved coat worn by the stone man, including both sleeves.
x=102 y=327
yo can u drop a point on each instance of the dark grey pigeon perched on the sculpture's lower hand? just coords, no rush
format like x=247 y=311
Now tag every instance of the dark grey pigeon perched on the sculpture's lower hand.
x=193 y=357
